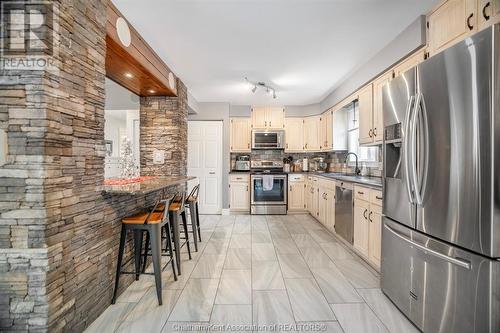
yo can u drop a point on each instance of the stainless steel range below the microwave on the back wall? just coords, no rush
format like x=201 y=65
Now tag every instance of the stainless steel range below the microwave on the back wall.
x=268 y=188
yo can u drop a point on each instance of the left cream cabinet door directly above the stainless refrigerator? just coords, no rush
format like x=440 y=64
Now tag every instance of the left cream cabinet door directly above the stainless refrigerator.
x=450 y=22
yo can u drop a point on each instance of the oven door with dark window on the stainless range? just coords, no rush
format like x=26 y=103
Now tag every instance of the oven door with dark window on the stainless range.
x=277 y=195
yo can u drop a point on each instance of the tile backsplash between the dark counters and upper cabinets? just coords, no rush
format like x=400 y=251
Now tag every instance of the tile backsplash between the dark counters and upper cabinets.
x=335 y=160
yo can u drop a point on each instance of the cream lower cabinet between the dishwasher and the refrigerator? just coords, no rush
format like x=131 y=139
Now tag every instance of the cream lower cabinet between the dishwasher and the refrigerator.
x=368 y=223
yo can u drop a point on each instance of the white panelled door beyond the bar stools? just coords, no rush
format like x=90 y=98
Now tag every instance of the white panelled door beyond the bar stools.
x=205 y=163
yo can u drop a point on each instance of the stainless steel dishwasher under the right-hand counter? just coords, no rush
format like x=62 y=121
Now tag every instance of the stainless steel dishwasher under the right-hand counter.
x=344 y=220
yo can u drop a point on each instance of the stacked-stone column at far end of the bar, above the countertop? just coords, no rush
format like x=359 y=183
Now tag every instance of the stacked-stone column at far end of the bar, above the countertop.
x=164 y=127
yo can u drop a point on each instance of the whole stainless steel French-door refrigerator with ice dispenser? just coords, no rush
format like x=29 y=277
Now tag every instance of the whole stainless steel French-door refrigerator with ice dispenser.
x=441 y=224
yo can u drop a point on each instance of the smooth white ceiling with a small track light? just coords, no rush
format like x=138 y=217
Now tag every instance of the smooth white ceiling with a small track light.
x=302 y=48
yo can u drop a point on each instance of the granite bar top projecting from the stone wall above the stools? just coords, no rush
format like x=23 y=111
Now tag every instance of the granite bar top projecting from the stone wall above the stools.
x=146 y=186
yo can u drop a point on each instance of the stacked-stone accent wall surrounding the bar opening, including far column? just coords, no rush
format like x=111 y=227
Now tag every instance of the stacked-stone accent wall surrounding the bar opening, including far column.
x=58 y=233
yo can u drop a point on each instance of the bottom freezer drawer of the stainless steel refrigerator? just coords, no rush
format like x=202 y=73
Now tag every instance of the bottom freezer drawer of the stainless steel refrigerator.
x=441 y=288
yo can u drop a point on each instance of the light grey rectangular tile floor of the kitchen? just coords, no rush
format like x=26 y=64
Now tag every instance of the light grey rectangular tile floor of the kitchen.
x=281 y=273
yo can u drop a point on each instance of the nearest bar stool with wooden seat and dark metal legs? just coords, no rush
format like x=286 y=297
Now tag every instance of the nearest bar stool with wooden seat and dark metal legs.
x=152 y=223
